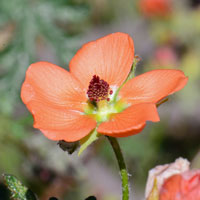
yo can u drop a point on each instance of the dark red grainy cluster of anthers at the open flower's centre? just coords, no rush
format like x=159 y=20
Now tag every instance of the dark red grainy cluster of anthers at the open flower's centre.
x=98 y=89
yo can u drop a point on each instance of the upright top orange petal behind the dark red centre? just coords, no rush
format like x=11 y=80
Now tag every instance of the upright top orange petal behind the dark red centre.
x=110 y=57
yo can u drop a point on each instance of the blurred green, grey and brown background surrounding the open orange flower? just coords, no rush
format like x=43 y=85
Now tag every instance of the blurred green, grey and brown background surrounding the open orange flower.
x=166 y=35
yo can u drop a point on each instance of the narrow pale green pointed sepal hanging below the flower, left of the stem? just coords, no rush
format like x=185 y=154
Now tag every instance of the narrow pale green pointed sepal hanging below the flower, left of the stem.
x=86 y=141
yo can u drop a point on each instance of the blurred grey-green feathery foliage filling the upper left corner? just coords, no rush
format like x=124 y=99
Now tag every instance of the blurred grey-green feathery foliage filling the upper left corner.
x=28 y=26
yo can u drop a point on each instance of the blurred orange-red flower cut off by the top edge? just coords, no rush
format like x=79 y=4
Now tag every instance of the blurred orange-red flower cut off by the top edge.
x=152 y=8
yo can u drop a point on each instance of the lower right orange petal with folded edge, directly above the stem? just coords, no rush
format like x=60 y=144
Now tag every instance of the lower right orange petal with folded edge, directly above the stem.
x=129 y=122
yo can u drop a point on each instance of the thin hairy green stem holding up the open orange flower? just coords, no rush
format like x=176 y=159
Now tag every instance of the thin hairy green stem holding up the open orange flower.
x=122 y=166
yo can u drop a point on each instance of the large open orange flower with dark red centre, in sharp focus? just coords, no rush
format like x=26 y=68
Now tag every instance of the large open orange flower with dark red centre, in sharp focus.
x=69 y=105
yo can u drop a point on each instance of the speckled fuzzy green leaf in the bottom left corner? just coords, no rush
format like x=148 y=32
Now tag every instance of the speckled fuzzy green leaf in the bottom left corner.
x=18 y=190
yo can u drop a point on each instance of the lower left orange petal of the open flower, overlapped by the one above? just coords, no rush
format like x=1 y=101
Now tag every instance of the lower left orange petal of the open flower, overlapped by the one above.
x=60 y=124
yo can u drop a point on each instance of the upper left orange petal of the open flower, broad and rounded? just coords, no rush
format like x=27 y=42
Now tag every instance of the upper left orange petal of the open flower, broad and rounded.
x=52 y=85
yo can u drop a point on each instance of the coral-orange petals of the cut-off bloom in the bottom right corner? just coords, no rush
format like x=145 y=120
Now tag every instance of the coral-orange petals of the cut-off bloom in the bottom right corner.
x=185 y=186
